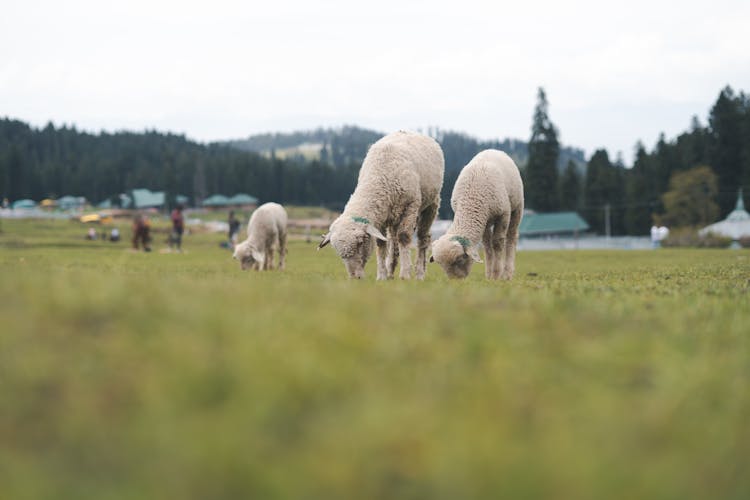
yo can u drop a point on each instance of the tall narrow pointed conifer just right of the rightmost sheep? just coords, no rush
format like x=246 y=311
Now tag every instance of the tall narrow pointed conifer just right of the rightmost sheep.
x=541 y=168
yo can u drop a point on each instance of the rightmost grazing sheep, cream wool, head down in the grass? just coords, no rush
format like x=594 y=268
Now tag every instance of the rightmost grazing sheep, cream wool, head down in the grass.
x=487 y=201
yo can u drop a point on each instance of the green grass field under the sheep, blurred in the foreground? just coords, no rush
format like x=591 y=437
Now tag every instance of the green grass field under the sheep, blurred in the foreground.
x=592 y=375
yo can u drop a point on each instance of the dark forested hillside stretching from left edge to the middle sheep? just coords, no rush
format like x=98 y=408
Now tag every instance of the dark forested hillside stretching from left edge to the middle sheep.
x=53 y=162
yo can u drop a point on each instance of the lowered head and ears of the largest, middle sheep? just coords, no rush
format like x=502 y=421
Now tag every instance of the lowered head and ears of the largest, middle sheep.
x=352 y=238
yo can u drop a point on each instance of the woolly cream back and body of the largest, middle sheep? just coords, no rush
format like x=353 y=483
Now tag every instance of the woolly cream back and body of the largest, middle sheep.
x=382 y=186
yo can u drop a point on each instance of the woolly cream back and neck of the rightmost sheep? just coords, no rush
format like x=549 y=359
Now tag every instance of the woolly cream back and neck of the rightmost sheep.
x=487 y=187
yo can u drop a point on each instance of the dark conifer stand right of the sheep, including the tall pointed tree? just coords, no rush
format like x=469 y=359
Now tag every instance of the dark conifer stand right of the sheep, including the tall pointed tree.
x=630 y=200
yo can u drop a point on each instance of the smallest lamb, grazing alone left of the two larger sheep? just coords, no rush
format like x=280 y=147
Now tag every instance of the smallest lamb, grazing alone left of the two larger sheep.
x=266 y=229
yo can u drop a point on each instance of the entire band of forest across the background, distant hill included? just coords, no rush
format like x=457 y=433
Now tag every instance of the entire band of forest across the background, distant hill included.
x=52 y=162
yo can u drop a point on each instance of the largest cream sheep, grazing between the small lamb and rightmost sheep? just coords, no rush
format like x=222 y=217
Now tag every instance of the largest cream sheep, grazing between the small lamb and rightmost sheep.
x=398 y=192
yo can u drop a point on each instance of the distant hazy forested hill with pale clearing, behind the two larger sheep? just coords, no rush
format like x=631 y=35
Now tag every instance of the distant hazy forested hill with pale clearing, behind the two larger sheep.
x=348 y=144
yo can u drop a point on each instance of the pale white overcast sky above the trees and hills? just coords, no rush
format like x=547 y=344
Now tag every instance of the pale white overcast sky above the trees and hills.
x=614 y=72
